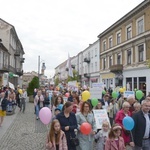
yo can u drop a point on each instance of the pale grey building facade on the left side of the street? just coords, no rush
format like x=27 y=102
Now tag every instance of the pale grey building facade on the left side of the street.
x=15 y=58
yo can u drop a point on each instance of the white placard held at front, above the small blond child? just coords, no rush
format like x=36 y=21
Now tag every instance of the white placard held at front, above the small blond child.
x=100 y=115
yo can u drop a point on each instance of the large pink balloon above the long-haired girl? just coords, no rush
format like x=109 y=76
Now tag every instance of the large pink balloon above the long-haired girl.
x=45 y=115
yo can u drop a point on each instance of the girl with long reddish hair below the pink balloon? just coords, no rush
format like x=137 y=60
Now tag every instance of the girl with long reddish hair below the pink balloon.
x=56 y=139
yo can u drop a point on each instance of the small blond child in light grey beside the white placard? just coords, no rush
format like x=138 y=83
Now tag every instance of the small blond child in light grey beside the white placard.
x=101 y=136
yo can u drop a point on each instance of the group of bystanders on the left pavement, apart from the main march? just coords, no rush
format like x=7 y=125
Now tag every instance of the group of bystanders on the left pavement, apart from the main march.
x=9 y=99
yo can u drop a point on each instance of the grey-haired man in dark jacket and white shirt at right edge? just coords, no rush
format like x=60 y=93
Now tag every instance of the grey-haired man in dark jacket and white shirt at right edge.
x=141 y=130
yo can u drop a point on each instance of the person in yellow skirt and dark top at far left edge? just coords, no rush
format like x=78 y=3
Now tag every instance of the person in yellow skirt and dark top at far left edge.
x=3 y=105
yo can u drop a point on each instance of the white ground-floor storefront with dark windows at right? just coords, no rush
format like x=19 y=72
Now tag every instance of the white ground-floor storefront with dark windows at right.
x=137 y=79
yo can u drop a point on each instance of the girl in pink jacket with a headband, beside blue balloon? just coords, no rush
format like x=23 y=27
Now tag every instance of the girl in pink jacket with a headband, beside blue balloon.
x=114 y=140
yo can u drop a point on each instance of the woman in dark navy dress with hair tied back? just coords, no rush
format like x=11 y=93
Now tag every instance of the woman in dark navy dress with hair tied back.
x=68 y=123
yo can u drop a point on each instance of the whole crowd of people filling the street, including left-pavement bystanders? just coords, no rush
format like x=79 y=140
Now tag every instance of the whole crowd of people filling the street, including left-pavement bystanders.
x=68 y=117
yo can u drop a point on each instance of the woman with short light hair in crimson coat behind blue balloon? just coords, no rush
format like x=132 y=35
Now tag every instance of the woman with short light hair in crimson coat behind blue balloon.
x=119 y=119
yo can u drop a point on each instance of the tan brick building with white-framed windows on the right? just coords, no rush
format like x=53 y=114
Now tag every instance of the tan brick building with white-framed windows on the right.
x=124 y=49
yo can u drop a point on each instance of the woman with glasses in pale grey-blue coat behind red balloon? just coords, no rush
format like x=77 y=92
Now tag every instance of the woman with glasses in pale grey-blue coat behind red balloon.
x=85 y=115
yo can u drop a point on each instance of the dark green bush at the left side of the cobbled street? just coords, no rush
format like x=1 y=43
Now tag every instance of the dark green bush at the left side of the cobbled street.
x=32 y=85
